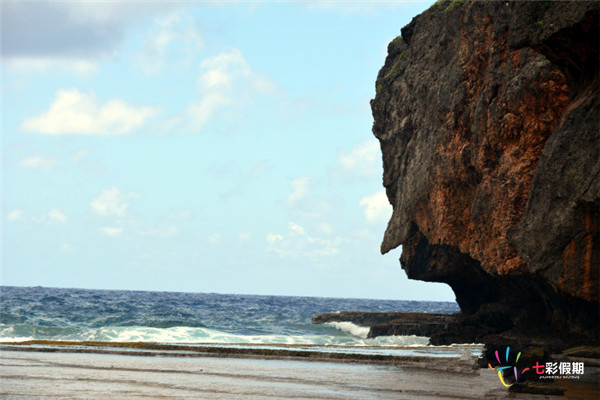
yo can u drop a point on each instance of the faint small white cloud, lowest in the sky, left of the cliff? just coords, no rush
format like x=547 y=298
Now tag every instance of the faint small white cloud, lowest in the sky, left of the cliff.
x=297 y=243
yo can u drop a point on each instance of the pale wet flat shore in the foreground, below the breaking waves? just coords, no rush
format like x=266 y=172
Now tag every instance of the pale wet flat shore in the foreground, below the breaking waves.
x=88 y=373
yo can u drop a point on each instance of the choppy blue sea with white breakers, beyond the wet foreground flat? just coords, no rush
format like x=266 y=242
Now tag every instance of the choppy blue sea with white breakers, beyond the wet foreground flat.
x=38 y=313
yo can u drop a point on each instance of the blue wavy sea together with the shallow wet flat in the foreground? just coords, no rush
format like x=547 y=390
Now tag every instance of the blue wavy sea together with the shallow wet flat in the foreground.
x=85 y=344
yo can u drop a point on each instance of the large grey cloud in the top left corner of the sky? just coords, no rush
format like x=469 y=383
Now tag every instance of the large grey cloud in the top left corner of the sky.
x=82 y=30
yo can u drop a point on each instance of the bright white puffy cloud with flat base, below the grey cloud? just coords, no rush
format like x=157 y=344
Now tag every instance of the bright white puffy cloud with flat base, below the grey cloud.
x=76 y=113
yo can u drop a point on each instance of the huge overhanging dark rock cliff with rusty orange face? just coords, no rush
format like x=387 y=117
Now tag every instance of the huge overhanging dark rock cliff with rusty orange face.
x=488 y=118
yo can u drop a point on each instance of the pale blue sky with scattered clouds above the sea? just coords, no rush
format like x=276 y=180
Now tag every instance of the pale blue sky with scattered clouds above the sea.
x=198 y=146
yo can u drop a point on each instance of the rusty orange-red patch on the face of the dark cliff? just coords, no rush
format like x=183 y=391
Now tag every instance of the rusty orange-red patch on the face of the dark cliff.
x=491 y=174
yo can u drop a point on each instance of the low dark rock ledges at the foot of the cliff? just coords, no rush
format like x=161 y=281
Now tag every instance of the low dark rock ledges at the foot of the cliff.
x=441 y=327
